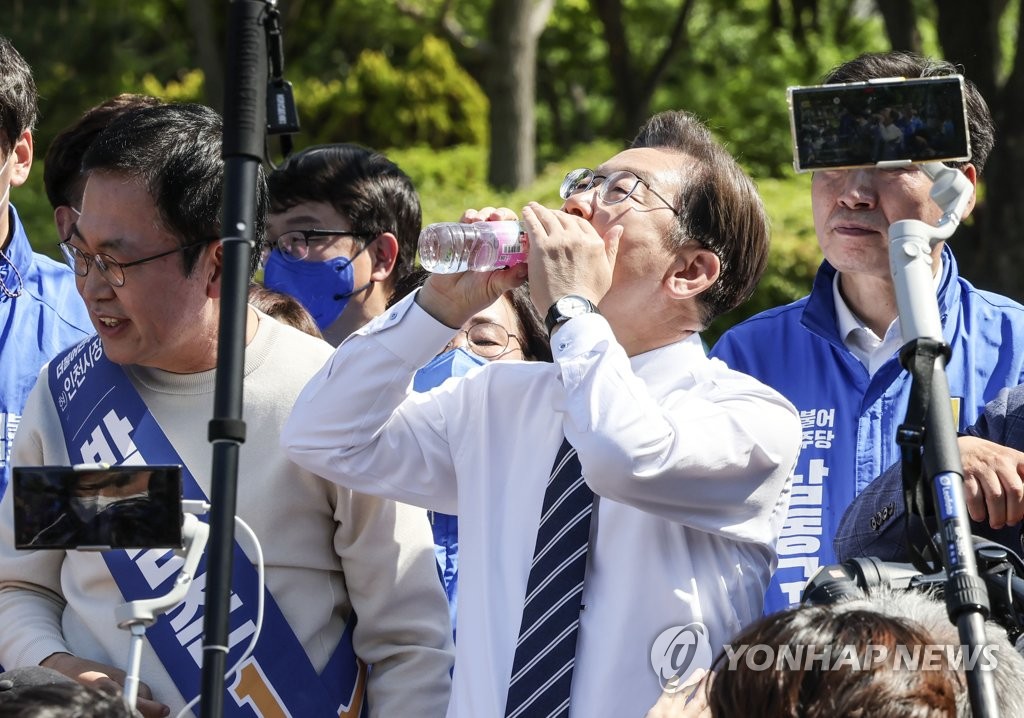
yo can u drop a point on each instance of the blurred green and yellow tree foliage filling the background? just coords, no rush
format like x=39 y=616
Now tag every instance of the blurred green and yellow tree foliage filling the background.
x=376 y=73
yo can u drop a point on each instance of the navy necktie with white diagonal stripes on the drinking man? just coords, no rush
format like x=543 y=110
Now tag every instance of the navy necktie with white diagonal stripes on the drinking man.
x=542 y=671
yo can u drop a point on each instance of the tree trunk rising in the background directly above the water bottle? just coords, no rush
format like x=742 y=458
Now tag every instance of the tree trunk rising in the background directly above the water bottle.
x=510 y=85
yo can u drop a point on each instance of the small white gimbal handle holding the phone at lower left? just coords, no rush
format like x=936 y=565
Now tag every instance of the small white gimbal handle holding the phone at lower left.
x=137 y=616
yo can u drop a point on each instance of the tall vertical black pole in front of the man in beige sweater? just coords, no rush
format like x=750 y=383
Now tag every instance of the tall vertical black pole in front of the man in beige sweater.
x=245 y=130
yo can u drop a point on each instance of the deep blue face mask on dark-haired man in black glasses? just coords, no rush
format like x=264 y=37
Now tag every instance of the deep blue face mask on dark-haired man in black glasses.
x=324 y=288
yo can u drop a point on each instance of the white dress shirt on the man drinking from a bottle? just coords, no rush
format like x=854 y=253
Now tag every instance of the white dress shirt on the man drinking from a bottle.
x=690 y=459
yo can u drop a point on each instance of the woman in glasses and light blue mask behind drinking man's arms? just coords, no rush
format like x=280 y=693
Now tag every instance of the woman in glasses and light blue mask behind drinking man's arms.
x=508 y=330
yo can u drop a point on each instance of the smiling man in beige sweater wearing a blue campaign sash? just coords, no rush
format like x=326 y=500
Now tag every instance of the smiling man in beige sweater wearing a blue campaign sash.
x=150 y=271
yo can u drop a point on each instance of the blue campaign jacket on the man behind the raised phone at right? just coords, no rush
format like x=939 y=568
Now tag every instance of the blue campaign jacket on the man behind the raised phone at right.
x=850 y=419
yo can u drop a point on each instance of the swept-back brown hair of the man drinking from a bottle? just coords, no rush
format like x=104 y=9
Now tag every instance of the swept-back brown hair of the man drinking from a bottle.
x=719 y=207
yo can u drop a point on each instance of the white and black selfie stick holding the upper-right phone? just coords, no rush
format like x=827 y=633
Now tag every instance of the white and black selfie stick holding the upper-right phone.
x=925 y=357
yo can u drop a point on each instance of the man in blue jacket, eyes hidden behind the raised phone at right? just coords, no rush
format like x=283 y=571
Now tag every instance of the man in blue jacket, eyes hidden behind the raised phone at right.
x=834 y=354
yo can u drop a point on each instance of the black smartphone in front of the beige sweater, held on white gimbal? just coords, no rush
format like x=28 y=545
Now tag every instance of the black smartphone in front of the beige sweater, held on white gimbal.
x=63 y=508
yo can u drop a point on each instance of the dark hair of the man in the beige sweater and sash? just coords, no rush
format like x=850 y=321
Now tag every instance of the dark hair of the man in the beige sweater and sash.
x=176 y=151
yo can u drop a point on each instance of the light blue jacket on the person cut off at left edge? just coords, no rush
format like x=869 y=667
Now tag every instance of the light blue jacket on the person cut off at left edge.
x=48 y=317
